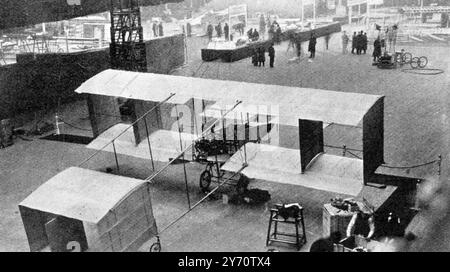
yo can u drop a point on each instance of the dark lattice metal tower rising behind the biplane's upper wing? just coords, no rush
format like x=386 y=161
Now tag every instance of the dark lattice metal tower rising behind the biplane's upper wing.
x=127 y=48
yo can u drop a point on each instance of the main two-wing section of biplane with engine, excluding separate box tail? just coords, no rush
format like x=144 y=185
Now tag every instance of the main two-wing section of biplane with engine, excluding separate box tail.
x=266 y=132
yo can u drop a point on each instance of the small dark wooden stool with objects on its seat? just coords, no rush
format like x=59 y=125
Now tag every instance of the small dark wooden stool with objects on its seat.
x=277 y=236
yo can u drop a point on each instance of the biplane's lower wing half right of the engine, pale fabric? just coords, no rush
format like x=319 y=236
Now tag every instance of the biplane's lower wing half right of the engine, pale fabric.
x=282 y=165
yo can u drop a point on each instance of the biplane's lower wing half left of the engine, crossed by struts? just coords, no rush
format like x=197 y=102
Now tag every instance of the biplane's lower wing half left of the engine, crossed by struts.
x=165 y=145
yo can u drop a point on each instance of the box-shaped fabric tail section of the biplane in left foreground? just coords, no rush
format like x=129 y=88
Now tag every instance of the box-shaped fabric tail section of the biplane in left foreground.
x=114 y=212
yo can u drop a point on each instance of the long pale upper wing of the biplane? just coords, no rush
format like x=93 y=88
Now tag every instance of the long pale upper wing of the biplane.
x=294 y=103
